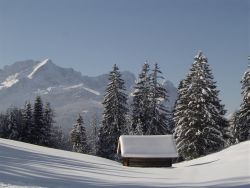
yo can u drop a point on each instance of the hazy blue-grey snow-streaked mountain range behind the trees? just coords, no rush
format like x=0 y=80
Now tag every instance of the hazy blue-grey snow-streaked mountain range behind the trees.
x=68 y=91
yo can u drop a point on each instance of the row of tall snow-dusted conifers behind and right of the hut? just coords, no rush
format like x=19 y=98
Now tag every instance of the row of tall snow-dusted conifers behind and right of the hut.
x=197 y=122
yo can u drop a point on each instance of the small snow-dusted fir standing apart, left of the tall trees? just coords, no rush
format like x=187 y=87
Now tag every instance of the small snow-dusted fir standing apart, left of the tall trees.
x=78 y=137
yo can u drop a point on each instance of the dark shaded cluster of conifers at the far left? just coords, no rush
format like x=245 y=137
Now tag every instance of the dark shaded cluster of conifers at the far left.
x=32 y=124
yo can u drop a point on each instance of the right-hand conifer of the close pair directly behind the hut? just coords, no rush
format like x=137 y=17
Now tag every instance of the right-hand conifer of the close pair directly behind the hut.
x=161 y=119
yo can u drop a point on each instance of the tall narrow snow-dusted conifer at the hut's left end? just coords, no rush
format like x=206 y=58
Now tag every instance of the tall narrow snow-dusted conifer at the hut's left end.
x=114 y=115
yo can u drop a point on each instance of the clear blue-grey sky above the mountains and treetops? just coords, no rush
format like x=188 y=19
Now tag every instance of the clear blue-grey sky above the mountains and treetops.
x=91 y=35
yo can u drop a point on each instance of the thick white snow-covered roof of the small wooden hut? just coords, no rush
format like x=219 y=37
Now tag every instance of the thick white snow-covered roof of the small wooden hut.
x=147 y=146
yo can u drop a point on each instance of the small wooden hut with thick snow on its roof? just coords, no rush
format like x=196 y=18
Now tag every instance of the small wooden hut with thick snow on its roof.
x=147 y=150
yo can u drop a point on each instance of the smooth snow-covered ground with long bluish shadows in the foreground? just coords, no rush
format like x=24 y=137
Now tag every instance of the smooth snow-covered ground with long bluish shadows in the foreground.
x=25 y=165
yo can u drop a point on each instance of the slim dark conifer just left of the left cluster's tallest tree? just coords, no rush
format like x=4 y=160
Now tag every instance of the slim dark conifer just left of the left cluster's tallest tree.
x=27 y=123
